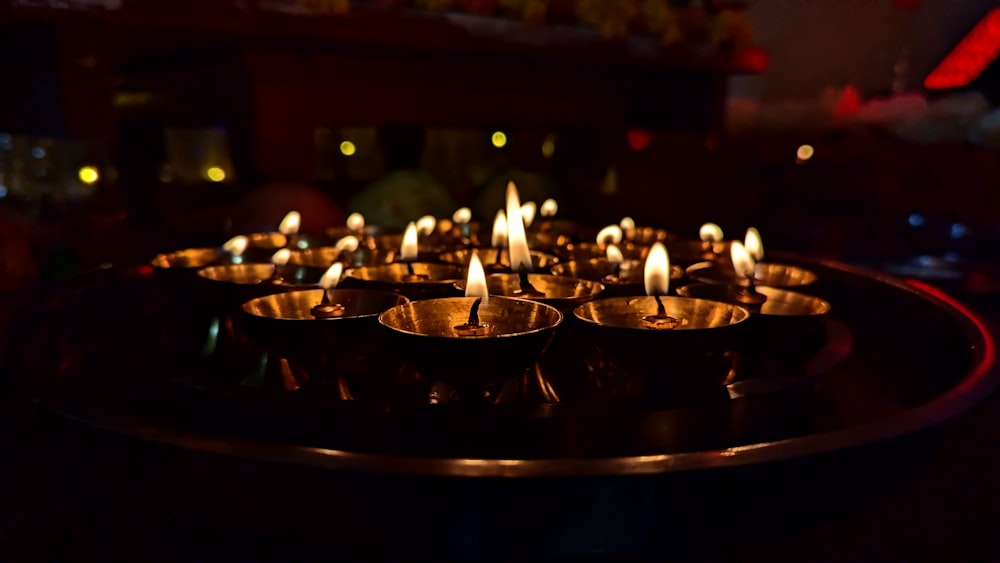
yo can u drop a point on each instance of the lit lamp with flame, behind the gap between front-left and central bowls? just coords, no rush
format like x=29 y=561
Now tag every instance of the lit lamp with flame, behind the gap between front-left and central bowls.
x=412 y=278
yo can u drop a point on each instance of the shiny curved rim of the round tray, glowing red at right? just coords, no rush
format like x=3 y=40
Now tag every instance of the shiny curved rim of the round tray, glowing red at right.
x=979 y=381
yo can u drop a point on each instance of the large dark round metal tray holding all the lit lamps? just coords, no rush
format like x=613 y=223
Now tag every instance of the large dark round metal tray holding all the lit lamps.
x=898 y=357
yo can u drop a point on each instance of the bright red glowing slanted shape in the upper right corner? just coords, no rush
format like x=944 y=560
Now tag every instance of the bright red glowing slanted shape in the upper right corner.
x=971 y=57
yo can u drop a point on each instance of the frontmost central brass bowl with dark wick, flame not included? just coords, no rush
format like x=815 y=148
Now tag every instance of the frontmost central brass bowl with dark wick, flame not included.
x=426 y=333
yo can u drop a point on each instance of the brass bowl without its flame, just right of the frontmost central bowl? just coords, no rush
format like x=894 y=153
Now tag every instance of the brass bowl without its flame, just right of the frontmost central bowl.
x=679 y=366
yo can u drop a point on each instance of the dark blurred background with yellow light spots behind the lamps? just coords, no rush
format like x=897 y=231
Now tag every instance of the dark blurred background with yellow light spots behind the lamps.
x=131 y=127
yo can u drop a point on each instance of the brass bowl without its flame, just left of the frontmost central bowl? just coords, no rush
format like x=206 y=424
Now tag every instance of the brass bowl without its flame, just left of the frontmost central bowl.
x=283 y=323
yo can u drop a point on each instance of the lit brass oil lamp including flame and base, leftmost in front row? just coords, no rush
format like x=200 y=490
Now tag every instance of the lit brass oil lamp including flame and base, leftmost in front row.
x=319 y=337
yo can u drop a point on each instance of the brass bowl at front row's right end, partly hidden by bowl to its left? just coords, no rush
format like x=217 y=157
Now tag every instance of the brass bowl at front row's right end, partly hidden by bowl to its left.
x=787 y=326
